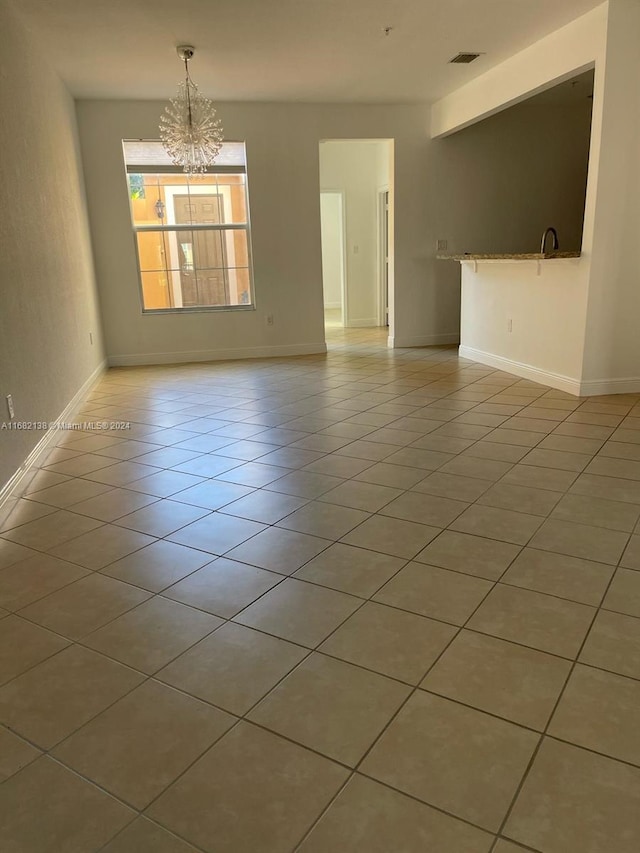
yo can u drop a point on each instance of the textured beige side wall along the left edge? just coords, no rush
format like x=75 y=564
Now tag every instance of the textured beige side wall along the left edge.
x=48 y=302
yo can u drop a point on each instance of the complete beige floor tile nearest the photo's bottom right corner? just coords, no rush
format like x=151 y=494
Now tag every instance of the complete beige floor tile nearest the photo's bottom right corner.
x=455 y=758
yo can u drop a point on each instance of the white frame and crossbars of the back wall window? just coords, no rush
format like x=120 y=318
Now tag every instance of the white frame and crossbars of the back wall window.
x=170 y=169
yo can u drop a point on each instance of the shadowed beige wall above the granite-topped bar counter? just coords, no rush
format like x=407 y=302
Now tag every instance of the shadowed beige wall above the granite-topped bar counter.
x=499 y=184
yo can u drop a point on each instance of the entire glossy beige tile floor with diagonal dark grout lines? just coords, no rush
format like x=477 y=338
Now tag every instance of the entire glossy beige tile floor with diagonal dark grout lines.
x=378 y=601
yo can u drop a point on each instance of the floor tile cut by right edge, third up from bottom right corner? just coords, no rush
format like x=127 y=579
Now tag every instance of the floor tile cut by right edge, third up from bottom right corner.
x=614 y=644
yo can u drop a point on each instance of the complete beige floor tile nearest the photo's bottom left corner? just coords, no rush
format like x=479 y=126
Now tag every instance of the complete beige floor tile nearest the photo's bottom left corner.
x=142 y=743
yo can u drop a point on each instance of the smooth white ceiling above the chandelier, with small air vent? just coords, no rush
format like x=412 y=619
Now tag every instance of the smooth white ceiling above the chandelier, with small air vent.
x=286 y=50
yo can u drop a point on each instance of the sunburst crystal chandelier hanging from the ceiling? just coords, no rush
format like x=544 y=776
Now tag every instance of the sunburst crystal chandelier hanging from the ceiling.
x=189 y=130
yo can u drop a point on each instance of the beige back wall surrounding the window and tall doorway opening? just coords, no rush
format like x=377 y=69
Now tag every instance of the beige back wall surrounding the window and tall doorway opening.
x=283 y=177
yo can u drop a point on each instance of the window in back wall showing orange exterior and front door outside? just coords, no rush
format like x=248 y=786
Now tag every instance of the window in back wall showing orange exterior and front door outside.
x=192 y=234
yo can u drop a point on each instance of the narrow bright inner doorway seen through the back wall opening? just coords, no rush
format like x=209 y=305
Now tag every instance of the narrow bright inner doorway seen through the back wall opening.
x=333 y=257
